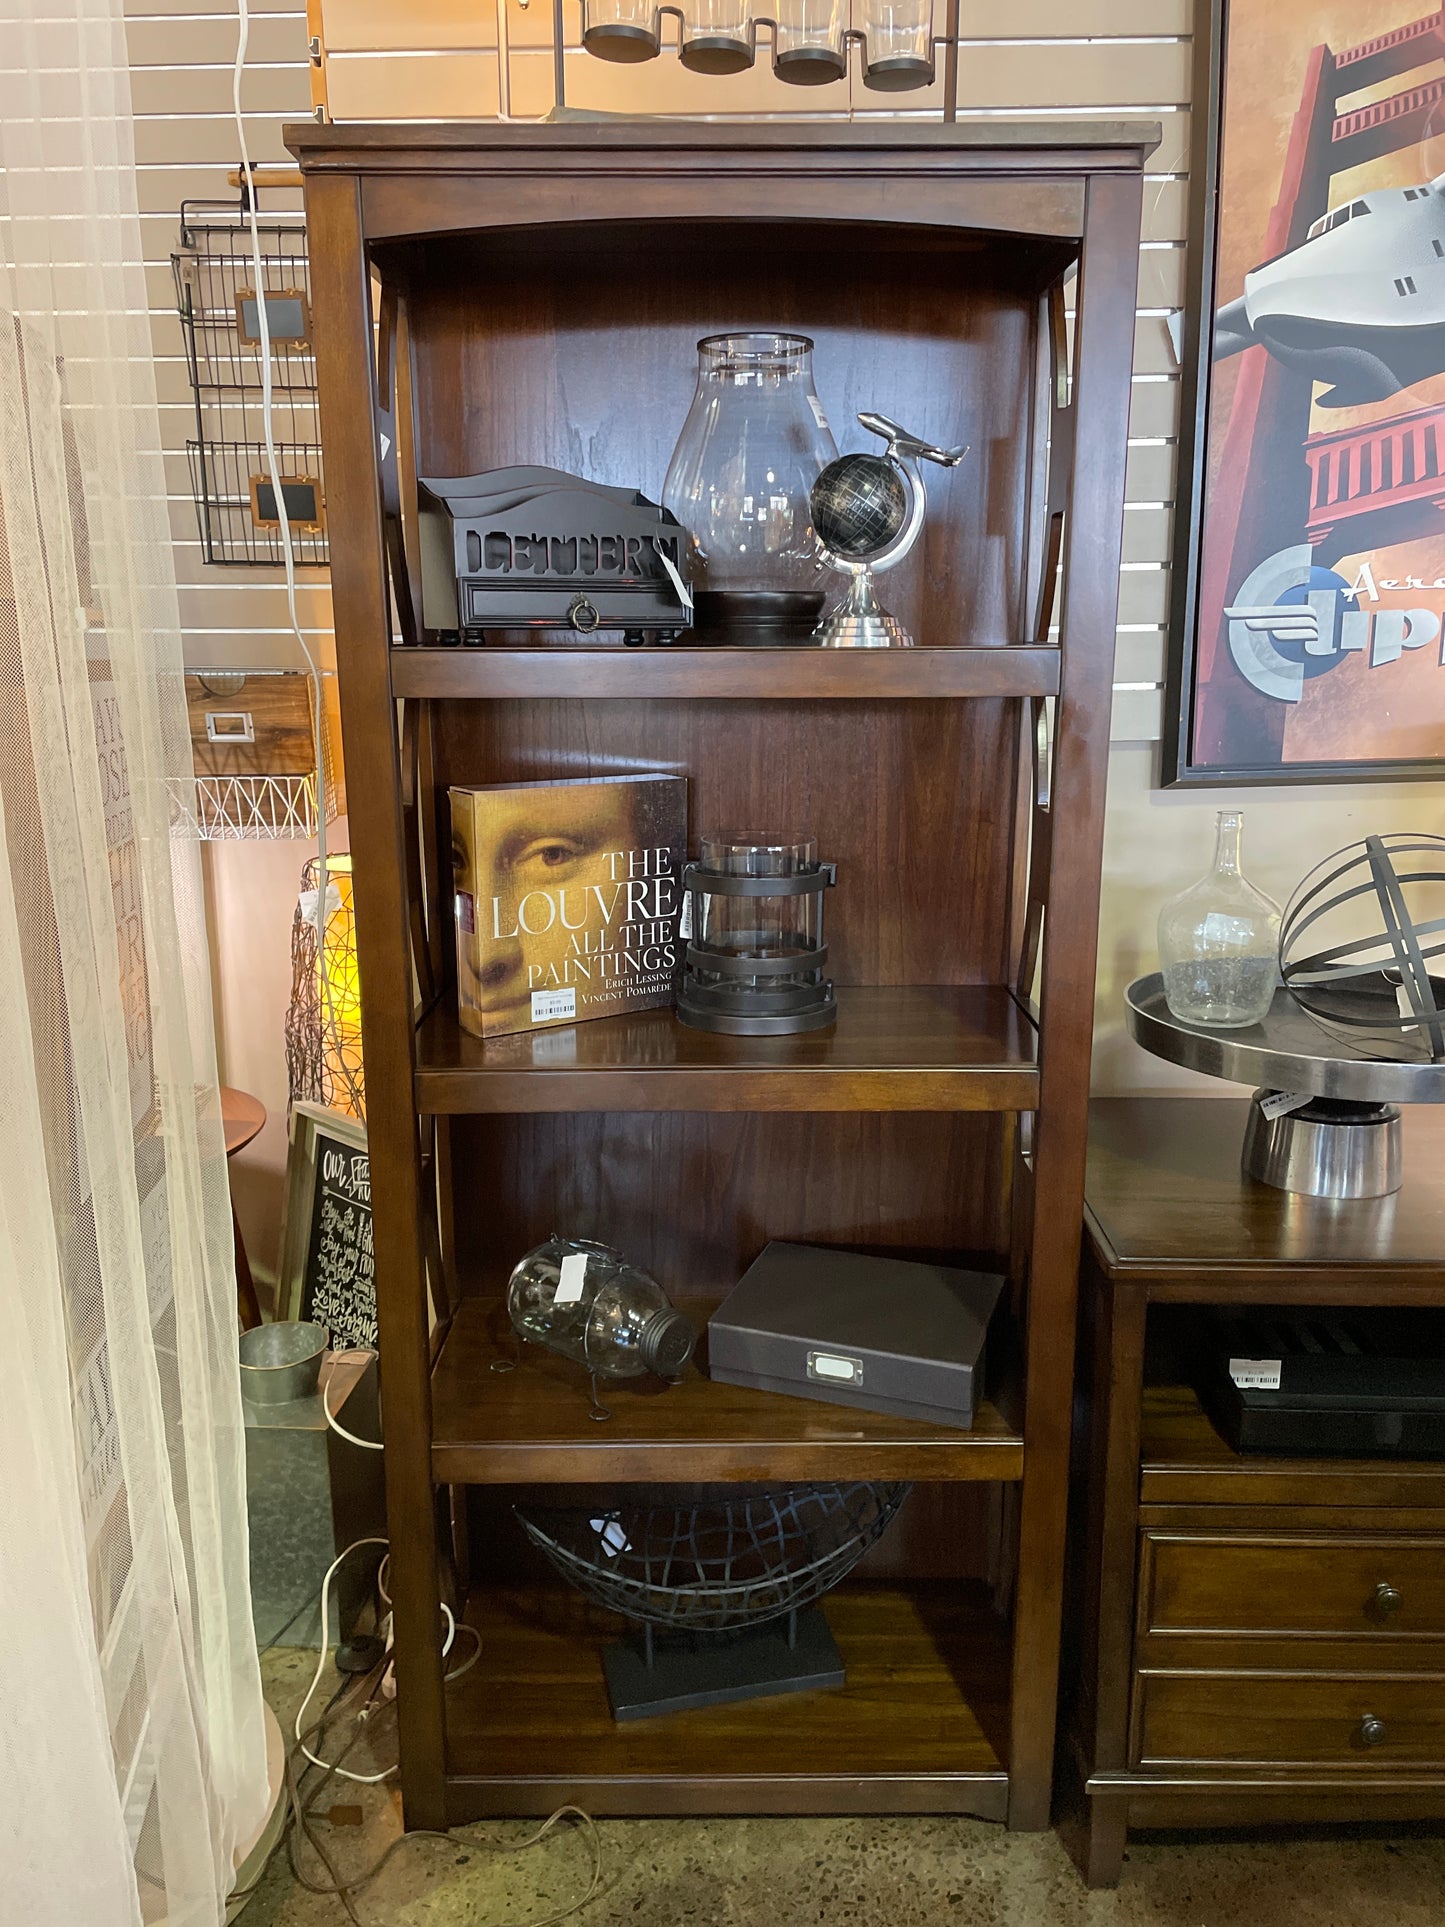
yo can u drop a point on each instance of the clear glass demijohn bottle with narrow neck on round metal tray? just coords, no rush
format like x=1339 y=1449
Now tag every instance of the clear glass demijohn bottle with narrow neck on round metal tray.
x=1221 y=941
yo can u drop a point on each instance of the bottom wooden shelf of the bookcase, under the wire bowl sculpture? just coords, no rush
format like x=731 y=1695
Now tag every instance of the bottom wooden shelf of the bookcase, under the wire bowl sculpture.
x=920 y=1726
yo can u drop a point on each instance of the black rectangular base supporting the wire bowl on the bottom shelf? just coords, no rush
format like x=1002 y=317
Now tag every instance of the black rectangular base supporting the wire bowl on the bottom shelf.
x=716 y=1670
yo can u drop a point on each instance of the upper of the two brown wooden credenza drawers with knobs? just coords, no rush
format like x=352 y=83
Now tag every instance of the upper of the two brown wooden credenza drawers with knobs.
x=1292 y=1583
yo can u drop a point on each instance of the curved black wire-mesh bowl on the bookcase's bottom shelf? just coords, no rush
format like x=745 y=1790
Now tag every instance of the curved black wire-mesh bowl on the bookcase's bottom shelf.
x=716 y=1566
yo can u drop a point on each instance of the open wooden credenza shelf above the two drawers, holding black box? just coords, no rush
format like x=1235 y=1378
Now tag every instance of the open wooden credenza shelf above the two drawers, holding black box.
x=1184 y=1462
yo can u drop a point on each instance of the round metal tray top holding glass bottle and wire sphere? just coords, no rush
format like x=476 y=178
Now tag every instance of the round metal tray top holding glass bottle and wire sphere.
x=1286 y=1053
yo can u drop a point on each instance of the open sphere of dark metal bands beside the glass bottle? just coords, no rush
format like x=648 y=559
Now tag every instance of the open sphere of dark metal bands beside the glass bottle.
x=1359 y=939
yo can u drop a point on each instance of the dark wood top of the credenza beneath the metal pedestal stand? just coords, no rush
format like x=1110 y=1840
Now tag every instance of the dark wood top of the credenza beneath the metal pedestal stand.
x=1167 y=1196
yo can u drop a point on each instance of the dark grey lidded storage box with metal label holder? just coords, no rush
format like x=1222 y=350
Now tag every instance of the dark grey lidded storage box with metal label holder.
x=880 y=1334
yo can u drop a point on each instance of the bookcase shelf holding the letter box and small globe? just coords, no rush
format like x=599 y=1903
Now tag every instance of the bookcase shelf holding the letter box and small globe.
x=727 y=673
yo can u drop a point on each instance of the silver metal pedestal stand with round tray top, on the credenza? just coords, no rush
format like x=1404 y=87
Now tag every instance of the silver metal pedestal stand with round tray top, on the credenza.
x=1340 y=1138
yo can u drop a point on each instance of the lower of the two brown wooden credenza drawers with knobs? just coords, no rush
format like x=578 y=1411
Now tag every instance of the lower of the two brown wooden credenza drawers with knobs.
x=1286 y=1720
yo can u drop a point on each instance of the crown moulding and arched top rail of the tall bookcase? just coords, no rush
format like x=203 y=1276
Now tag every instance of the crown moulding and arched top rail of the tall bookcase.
x=1005 y=178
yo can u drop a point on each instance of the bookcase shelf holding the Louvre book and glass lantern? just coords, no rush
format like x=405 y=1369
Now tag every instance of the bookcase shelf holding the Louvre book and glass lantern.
x=895 y=1047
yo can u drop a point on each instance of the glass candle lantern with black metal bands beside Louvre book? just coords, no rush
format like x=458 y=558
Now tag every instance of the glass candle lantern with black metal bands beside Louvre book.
x=754 y=924
